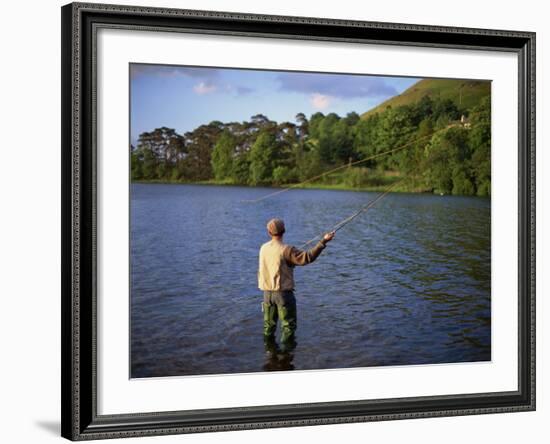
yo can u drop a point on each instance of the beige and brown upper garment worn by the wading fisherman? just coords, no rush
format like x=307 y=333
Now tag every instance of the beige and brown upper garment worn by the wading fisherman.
x=277 y=262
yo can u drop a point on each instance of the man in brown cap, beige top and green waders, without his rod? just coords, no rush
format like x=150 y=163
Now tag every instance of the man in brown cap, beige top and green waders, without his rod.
x=276 y=279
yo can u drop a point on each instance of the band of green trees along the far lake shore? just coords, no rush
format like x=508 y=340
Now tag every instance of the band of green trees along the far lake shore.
x=449 y=149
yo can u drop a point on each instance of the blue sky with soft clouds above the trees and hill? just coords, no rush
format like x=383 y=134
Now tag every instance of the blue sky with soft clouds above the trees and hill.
x=184 y=98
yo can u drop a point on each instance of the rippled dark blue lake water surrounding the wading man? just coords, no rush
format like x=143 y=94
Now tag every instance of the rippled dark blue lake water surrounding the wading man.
x=406 y=283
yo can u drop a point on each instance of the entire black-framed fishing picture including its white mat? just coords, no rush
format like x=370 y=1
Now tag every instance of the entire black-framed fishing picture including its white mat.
x=275 y=221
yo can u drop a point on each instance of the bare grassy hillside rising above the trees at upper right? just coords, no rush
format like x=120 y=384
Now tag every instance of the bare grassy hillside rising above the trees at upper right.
x=464 y=93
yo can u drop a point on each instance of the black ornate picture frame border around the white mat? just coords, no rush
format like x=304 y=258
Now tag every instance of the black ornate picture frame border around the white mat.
x=80 y=420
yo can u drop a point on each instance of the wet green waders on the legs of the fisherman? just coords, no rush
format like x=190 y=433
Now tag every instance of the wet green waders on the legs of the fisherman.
x=280 y=305
